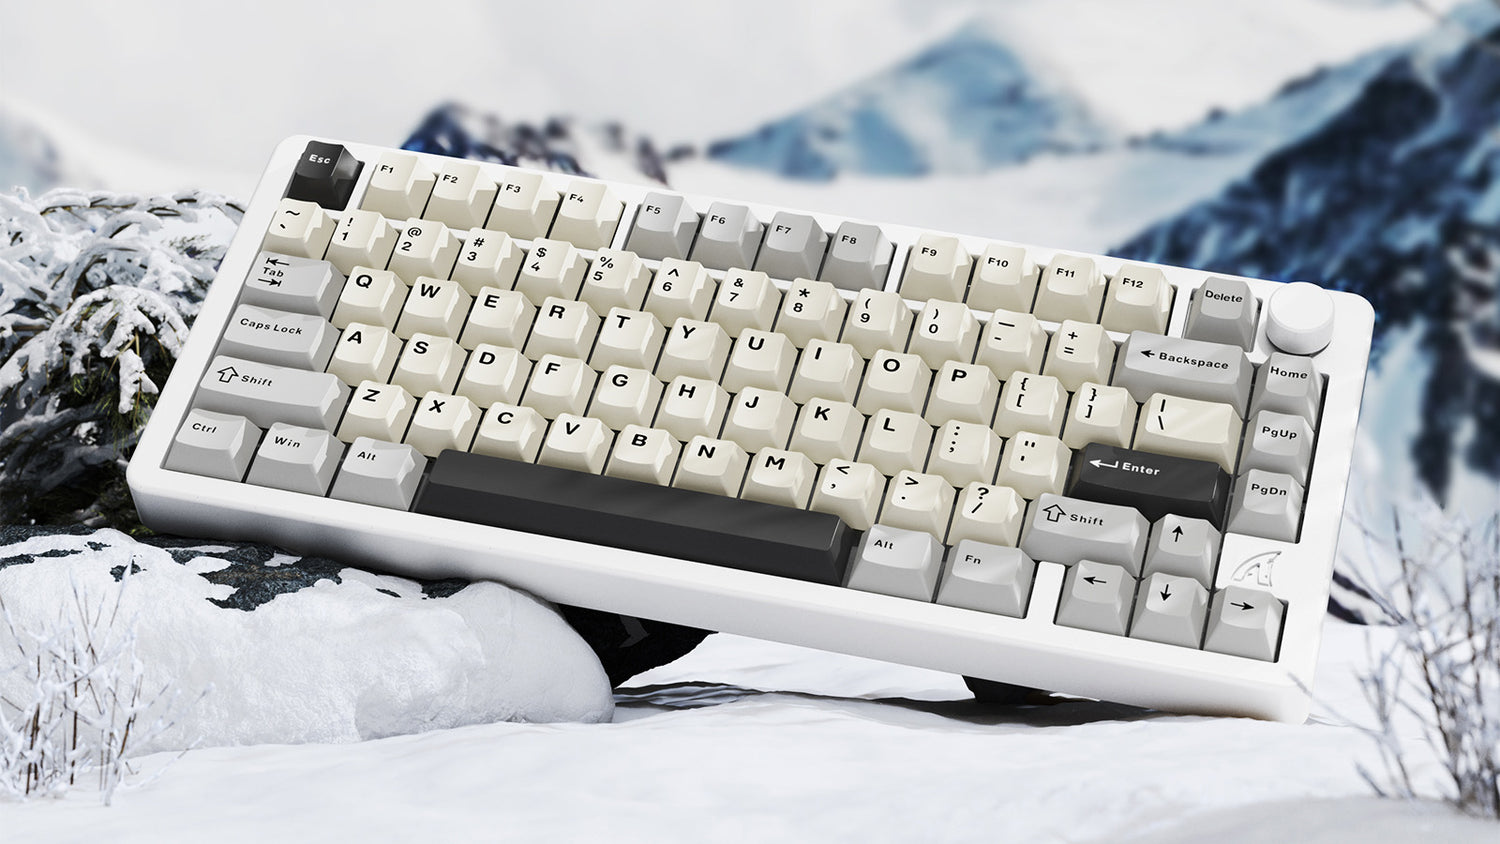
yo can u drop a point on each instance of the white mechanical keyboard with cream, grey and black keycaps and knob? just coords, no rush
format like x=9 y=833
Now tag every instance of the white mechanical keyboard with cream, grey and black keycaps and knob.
x=1043 y=468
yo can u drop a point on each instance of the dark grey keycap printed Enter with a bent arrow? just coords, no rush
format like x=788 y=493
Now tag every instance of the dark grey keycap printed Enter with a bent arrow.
x=1156 y=485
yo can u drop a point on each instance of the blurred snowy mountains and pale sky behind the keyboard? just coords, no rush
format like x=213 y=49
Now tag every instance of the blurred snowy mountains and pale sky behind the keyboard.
x=1351 y=143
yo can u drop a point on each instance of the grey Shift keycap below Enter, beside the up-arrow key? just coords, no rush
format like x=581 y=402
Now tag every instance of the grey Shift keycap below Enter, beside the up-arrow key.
x=1069 y=530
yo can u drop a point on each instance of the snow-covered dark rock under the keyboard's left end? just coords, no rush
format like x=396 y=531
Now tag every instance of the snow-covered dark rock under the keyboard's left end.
x=266 y=648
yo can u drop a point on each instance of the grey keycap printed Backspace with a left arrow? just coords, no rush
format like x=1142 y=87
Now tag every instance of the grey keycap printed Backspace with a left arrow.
x=1193 y=370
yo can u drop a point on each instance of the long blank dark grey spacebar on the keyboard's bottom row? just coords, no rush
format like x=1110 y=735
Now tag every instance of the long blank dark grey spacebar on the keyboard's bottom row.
x=638 y=516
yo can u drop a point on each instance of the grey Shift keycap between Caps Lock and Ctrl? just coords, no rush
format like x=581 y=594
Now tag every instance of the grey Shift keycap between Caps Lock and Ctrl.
x=266 y=395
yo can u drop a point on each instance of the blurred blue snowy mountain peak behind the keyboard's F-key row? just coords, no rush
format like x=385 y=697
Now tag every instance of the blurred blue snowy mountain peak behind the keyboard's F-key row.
x=965 y=104
